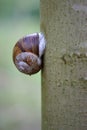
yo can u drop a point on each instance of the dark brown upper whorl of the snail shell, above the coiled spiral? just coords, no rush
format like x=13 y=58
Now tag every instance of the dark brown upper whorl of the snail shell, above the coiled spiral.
x=27 y=44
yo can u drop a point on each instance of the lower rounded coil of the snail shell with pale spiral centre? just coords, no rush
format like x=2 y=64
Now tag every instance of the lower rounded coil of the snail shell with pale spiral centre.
x=28 y=63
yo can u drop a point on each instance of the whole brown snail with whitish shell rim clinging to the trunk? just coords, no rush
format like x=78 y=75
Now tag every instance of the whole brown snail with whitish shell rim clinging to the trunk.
x=27 y=53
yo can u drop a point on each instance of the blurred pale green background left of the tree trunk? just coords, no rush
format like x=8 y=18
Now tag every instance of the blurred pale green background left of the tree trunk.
x=20 y=95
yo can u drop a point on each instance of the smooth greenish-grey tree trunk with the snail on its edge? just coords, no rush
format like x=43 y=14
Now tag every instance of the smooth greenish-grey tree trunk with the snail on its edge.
x=64 y=74
